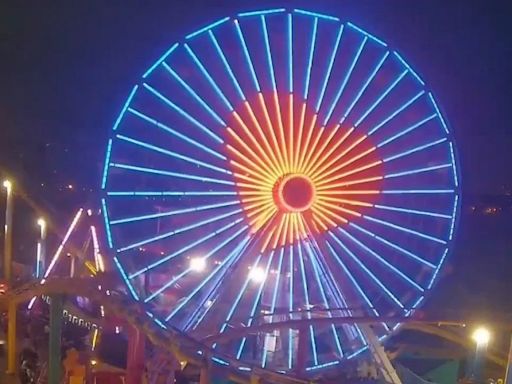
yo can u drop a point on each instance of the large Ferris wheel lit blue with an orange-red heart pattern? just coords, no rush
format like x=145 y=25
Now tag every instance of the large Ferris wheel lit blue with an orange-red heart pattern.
x=280 y=166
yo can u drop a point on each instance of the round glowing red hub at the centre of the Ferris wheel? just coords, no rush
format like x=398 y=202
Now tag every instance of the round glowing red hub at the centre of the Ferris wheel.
x=294 y=193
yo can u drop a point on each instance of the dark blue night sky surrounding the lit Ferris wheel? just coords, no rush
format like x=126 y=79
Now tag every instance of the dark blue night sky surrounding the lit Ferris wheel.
x=67 y=67
